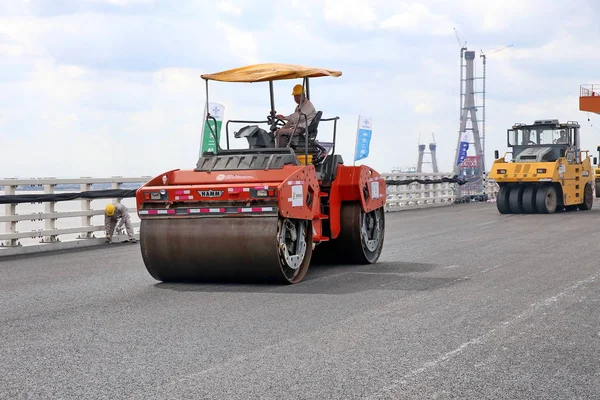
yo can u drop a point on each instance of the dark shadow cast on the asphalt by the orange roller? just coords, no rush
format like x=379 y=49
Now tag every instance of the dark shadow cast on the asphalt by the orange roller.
x=335 y=280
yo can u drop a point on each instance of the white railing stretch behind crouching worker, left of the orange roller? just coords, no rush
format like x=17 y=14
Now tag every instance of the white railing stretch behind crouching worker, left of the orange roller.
x=49 y=221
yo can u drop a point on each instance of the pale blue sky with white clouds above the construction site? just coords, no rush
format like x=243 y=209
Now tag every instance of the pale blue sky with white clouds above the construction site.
x=112 y=87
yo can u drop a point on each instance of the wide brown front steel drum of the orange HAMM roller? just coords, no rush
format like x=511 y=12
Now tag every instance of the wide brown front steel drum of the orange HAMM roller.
x=233 y=249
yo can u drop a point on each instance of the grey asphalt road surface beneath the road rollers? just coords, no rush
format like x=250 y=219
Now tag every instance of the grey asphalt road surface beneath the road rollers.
x=464 y=303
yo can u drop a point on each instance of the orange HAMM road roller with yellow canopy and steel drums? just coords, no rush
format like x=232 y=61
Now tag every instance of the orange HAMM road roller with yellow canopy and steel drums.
x=258 y=214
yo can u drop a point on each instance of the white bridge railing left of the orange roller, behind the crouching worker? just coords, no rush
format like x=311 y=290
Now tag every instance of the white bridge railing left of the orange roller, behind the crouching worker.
x=50 y=233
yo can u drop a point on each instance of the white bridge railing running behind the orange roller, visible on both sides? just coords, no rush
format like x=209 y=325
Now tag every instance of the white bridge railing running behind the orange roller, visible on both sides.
x=46 y=225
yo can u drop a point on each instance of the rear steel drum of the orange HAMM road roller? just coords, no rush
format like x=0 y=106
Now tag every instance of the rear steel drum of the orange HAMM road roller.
x=362 y=235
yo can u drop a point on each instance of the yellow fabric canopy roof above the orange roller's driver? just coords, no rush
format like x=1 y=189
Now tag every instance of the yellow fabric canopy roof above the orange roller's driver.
x=269 y=72
